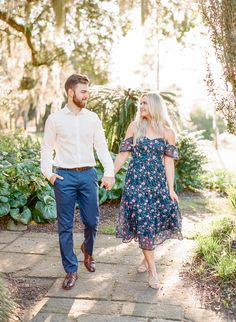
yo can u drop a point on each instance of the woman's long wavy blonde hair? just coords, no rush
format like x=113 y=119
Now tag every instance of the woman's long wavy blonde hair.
x=159 y=115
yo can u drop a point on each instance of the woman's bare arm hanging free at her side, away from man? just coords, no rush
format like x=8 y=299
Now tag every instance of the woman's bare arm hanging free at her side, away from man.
x=170 y=167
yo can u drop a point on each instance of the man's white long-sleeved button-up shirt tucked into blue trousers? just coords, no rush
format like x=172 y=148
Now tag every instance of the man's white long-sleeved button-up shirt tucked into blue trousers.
x=73 y=137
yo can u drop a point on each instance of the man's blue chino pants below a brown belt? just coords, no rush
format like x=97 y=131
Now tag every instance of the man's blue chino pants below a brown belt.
x=80 y=186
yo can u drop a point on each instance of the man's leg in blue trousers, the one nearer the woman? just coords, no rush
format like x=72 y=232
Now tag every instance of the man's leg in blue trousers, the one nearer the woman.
x=89 y=209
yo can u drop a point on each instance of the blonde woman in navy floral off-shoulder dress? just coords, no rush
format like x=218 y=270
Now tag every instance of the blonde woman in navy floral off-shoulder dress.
x=149 y=211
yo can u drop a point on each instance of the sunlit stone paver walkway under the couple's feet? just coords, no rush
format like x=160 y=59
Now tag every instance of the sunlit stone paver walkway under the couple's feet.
x=115 y=292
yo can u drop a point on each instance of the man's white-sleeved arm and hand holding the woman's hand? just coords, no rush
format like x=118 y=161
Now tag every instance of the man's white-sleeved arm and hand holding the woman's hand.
x=104 y=156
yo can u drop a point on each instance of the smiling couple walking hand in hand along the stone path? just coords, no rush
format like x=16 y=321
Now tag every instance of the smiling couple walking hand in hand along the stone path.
x=149 y=211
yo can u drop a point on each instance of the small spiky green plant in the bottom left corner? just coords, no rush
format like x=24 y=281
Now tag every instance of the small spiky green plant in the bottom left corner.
x=7 y=305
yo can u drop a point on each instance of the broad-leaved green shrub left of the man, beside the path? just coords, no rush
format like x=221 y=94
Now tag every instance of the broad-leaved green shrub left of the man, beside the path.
x=24 y=194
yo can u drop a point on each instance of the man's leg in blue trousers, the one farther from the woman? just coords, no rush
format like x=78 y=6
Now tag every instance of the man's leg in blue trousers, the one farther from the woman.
x=65 y=193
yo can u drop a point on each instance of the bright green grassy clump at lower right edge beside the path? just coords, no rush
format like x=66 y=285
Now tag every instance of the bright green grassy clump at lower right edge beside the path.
x=215 y=260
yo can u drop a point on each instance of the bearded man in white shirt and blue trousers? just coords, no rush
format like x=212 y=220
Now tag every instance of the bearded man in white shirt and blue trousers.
x=73 y=132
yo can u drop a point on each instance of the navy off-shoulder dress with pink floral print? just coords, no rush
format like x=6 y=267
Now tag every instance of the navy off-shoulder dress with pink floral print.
x=147 y=214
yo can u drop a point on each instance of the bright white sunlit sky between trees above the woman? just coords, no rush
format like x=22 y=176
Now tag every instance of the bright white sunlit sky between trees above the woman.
x=180 y=68
